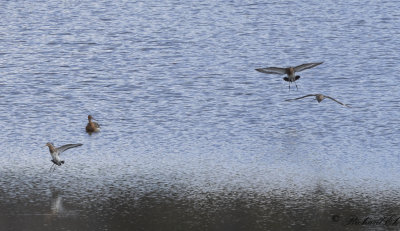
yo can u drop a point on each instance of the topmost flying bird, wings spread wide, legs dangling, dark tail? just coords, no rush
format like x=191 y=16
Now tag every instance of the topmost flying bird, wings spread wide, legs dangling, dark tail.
x=289 y=71
